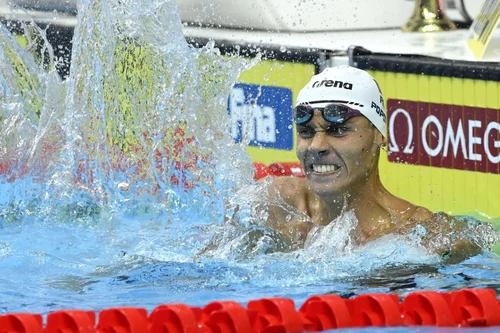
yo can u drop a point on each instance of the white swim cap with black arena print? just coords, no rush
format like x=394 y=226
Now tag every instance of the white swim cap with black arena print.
x=348 y=86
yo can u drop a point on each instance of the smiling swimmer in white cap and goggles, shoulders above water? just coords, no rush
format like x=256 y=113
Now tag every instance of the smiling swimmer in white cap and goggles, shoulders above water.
x=341 y=127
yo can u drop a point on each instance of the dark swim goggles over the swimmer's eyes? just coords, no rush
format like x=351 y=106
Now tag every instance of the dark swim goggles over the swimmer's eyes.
x=333 y=113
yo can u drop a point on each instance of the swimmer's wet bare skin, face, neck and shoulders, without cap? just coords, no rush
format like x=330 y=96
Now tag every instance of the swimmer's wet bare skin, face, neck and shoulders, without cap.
x=341 y=166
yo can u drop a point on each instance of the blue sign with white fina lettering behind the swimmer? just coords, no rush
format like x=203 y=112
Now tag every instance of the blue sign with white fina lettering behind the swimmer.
x=261 y=115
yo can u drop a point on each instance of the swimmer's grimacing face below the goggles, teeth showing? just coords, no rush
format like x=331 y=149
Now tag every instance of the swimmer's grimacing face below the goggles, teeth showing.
x=337 y=158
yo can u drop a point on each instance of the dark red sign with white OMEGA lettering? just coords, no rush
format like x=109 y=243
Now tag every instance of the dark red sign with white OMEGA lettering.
x=444 y=135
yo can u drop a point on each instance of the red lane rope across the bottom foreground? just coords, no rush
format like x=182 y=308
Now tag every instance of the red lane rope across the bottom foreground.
x=461 y=308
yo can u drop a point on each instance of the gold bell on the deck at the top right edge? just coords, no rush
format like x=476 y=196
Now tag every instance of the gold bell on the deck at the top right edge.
x=428 y=16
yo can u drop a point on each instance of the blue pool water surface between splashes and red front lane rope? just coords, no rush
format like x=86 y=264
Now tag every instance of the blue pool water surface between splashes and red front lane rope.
x=142 y=261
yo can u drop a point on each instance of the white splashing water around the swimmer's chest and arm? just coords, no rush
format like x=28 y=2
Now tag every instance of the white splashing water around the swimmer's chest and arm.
x=329 y=251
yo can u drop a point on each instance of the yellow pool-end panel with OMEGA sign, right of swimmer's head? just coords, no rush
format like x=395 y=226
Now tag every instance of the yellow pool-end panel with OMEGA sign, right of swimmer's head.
x=444 y=142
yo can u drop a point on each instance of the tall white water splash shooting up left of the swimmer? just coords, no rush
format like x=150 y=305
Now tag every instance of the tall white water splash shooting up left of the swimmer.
x=142 y=115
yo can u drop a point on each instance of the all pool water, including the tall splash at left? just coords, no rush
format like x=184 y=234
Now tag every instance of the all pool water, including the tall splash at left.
x=116 y=181
